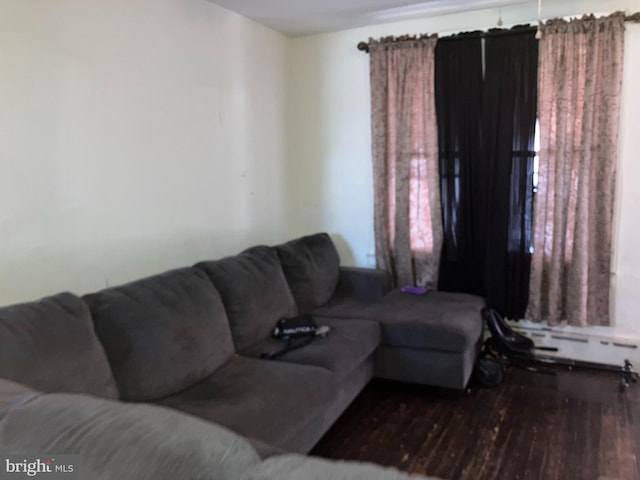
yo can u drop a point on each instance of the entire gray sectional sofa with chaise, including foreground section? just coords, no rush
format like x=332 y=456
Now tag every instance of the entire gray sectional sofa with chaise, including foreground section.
x=189 y=341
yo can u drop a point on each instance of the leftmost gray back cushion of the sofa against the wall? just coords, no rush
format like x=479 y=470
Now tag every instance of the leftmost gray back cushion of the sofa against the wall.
x=50 y=345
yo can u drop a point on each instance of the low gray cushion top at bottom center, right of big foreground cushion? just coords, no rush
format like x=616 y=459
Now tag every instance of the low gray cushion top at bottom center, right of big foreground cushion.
x=297 y=467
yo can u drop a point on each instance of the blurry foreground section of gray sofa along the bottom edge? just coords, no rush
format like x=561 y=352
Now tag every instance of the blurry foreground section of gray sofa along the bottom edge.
x=138 y=441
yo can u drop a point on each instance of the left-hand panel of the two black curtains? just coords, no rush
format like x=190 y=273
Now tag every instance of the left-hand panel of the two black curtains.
x=458 y=87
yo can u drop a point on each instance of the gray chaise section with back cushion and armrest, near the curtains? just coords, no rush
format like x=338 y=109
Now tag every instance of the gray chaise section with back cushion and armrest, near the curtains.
x=431 y=339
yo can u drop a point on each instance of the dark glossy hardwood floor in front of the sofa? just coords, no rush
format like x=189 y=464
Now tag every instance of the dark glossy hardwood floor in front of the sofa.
x=575 y=425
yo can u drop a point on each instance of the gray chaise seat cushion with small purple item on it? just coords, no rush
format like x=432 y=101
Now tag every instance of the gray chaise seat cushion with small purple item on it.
x=443 y=321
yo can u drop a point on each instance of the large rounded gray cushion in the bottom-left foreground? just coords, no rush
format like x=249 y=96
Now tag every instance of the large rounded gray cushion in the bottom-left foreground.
x=122 y=441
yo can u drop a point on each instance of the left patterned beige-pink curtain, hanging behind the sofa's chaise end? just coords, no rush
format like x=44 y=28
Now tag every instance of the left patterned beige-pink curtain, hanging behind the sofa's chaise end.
x=408 y=223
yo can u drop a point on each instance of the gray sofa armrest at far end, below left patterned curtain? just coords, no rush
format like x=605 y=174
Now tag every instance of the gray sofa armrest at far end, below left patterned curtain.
x=365 y=284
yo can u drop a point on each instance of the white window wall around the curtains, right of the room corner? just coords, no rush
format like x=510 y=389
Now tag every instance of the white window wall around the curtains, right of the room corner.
x=329 y=150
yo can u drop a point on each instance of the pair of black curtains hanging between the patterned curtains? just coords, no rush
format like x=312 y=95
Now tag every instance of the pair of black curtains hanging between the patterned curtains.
x=488 y=219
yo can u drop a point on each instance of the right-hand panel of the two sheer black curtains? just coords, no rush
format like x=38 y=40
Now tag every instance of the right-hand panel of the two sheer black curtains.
x=509 y=112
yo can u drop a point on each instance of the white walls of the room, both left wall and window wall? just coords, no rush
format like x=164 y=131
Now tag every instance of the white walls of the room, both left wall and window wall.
x=141 y=135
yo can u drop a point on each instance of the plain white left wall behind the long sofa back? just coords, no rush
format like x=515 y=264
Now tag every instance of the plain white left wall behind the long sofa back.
x=135 y=136
